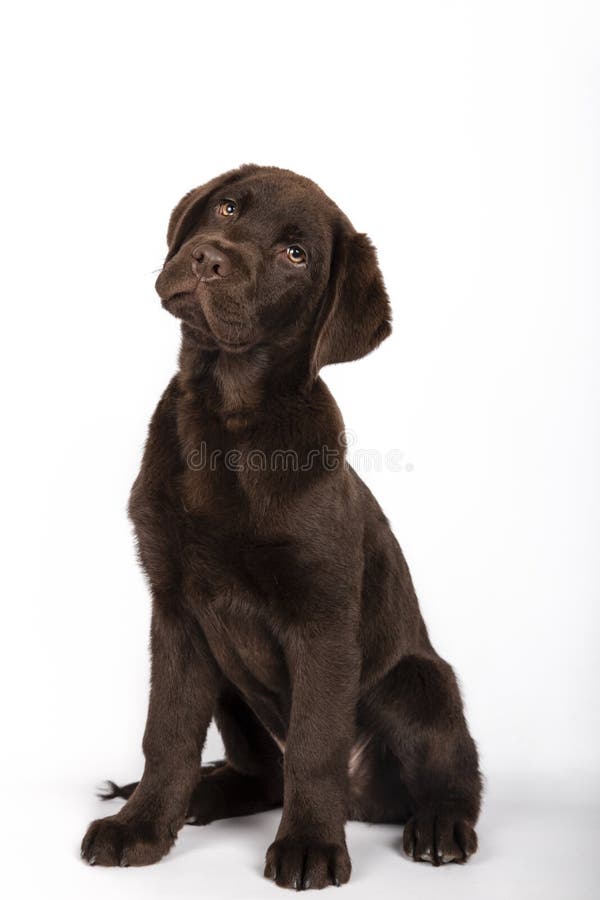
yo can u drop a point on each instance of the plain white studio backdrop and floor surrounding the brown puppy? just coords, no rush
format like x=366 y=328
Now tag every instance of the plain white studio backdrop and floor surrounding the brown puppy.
x=464 y=138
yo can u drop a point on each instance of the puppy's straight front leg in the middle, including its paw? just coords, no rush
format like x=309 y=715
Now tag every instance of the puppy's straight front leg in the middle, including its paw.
x=310 y=847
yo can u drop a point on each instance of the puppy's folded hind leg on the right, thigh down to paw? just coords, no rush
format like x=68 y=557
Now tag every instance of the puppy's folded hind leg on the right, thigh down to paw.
x=417 y=711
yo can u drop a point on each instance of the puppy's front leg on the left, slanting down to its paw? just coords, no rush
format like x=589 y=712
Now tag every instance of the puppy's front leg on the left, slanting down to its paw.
x=183 y=692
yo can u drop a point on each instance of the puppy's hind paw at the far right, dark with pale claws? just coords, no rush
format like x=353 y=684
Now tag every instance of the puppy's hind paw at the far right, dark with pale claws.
x=439 y=838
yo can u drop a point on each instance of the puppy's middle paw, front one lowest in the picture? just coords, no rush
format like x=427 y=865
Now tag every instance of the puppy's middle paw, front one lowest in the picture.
x=303 y=863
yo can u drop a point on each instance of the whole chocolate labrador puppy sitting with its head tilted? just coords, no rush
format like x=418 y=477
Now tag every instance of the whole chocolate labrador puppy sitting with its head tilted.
x=281 y=602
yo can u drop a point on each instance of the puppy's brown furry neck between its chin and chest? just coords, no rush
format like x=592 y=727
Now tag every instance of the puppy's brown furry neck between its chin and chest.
x=237 y=388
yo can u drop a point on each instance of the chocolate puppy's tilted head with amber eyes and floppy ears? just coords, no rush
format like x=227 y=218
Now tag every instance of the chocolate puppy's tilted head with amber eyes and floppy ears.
x=260 y=256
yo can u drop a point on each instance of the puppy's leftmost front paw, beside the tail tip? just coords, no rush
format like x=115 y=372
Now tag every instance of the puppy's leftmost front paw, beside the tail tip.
x=114 y=842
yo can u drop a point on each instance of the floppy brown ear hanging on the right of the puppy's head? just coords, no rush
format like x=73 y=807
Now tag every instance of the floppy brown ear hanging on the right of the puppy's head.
x=356 y=315
